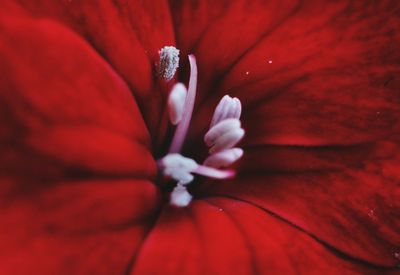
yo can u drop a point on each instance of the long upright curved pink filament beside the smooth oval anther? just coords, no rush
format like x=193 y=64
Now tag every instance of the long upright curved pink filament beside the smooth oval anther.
x=183 y=126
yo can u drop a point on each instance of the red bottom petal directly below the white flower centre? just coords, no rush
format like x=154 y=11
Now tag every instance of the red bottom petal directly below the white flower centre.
x=223 y=236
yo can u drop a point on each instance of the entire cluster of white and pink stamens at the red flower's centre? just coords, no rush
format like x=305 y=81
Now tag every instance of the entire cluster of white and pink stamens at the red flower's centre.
x=224 y=133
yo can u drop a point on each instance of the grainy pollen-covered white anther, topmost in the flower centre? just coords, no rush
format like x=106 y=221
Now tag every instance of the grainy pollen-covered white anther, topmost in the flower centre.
x=169 y=62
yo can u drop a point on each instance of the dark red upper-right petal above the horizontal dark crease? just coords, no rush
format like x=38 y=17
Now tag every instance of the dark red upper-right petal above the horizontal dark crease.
x=334 y=69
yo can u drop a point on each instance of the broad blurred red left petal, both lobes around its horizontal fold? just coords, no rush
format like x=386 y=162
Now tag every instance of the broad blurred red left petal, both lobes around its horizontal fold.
x=75 y=198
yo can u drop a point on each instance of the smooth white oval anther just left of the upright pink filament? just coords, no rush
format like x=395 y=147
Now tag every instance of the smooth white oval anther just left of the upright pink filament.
x=176 y=103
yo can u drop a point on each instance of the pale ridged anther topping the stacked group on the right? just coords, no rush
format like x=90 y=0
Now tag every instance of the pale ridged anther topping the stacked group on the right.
x=228 y=107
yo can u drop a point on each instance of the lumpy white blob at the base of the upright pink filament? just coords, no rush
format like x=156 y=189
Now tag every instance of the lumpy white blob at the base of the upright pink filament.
x=179 y=168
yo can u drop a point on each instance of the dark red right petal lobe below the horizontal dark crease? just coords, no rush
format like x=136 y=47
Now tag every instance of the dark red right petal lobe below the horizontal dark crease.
x=346 y=197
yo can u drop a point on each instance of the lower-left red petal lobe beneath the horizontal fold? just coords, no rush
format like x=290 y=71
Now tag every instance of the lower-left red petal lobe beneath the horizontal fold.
x=74 y=227
